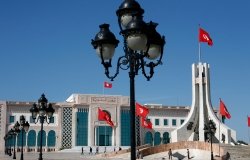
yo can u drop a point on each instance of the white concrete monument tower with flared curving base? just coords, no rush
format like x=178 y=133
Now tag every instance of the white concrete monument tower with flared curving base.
x=201 y=111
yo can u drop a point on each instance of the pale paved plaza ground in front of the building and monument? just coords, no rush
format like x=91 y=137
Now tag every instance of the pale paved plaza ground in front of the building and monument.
x=237 y=153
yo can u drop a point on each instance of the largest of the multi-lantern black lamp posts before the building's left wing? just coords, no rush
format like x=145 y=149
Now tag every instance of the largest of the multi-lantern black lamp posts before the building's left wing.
x=43 y=112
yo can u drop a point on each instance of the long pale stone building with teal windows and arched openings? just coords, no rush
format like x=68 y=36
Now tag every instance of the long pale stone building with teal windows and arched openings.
x=75 y=123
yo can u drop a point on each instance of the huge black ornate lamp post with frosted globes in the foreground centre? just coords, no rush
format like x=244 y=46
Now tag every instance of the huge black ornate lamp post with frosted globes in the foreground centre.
x=143 y=49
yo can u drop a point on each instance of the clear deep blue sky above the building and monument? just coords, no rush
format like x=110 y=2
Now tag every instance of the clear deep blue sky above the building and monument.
x=45 y=47
